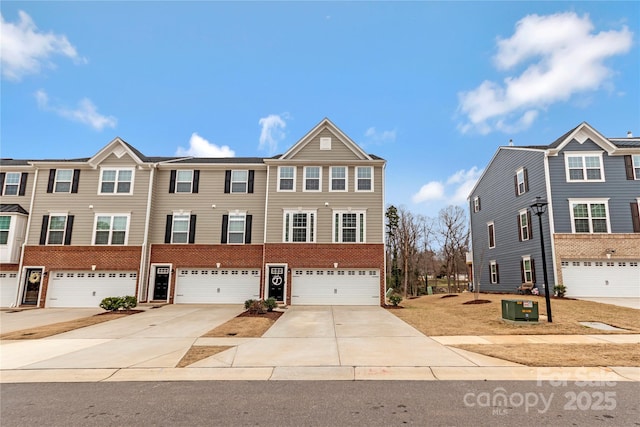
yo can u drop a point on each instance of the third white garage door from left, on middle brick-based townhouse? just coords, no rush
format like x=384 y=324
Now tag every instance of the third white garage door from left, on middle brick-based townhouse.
x=217 y=286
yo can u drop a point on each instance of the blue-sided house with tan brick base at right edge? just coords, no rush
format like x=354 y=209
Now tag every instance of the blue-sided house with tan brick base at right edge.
x=591 y=228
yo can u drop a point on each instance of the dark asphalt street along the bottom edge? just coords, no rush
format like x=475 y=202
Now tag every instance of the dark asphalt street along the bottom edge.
x=321 y=403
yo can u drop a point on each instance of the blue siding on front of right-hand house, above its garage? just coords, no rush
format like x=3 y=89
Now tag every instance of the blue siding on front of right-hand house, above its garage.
x=620 y=191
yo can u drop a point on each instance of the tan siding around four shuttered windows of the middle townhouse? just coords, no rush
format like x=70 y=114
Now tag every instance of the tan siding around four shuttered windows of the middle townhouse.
x=210 y=192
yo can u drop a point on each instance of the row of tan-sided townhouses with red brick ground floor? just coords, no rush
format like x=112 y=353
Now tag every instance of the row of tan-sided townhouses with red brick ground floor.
x=304 y=227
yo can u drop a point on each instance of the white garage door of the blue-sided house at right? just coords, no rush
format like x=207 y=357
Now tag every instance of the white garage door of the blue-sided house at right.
x=601 y=278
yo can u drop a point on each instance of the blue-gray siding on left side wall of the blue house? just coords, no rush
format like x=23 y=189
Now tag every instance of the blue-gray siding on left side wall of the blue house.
x=500 y=205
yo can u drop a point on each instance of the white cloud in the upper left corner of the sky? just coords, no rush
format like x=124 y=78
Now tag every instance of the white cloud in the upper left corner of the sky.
x=25 y=49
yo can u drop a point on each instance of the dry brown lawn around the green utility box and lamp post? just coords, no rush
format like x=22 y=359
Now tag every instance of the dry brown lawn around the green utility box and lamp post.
x=437 y=316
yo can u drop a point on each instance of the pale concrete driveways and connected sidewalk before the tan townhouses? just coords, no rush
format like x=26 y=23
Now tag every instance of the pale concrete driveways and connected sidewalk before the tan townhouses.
x=319 y=343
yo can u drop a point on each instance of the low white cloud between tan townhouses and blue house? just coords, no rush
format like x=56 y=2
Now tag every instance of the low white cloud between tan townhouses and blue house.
x=454 y=190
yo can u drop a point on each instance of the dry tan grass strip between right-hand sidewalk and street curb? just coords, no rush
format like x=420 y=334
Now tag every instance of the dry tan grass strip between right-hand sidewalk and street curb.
x=575 y=355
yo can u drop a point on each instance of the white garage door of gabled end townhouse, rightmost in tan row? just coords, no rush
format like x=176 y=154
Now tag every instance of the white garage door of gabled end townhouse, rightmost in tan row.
x=335 y=287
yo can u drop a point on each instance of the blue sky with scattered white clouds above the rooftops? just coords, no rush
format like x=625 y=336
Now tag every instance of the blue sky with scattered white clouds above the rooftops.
x=432 y=87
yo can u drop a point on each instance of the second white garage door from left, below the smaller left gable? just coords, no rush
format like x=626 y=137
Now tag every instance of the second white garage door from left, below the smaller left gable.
x=88 y=288
